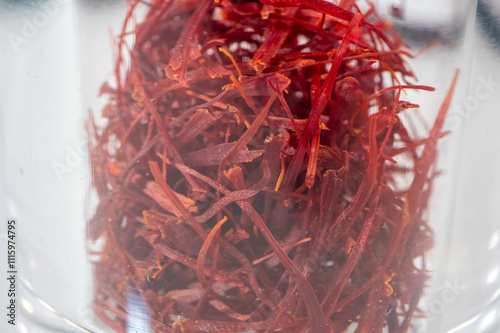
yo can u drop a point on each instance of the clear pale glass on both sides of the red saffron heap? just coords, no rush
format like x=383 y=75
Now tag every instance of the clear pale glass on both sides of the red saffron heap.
x=54 y=57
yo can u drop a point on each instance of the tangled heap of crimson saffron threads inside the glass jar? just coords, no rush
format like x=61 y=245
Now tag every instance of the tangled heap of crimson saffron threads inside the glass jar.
x=247 y=175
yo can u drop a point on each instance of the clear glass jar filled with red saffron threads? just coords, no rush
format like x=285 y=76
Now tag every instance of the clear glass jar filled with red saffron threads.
x=83 y=265
